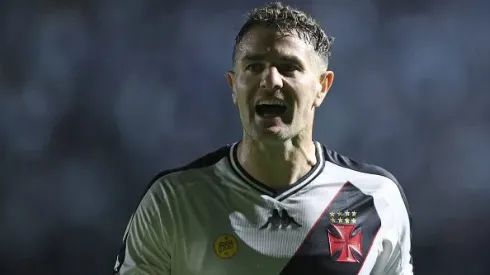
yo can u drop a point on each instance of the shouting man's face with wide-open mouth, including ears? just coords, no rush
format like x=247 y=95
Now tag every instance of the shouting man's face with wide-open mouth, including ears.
x=277 y=82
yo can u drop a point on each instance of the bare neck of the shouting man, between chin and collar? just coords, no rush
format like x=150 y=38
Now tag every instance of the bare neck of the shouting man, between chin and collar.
x=277 y=164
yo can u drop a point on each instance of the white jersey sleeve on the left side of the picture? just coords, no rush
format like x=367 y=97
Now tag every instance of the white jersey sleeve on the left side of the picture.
x=145 y=248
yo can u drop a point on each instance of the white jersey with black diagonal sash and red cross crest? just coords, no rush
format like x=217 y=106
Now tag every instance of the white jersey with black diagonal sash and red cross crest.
x=211 y=217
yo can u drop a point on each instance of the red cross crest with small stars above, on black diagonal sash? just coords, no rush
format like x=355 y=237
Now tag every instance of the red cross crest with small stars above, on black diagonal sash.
x=344 y=237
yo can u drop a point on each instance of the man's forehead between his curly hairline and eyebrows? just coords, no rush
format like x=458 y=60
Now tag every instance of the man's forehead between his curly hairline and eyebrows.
x=270 y=42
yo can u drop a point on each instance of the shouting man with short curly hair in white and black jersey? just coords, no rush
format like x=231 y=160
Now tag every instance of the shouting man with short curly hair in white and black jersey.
x=276 y=202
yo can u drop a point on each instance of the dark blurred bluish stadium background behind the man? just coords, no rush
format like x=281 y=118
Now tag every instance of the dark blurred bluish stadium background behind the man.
x=98 y=96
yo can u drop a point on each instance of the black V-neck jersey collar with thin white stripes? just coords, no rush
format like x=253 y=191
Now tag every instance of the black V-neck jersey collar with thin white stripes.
x=277 y=194
